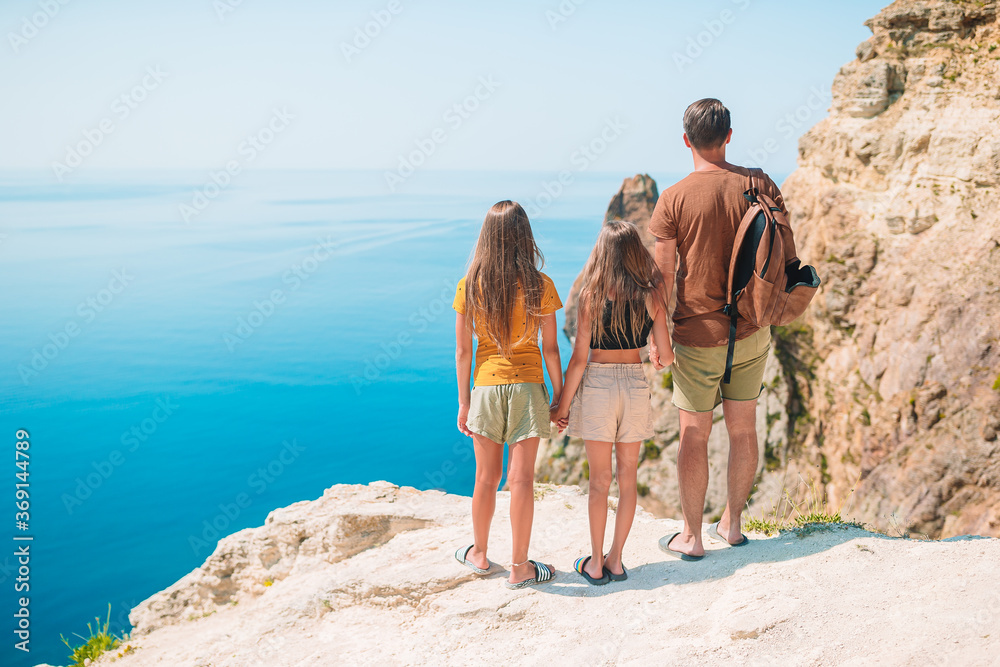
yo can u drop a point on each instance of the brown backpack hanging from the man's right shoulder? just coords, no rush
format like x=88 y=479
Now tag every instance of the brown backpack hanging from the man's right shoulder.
x=767 y=283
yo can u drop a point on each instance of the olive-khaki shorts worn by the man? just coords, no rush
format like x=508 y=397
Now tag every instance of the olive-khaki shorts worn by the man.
x=698 y=371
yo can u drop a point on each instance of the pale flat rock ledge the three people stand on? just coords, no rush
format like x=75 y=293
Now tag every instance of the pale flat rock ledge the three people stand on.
x=365 y=575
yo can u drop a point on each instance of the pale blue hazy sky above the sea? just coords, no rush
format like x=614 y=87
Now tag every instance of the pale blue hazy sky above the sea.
x=558 y=85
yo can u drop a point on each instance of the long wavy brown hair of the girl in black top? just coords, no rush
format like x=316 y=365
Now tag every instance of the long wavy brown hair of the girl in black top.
x=622 y=270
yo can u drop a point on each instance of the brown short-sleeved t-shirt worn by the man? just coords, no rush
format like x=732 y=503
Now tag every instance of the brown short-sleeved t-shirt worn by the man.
x=703 y=211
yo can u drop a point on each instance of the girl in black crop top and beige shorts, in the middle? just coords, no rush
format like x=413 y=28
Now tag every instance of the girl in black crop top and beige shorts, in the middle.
x=605 y=397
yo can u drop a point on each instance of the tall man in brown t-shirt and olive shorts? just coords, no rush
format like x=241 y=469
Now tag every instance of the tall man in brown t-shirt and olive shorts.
x=695 y=223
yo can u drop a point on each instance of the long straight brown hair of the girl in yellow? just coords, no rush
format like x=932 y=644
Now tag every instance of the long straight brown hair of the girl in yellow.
x=503 y=270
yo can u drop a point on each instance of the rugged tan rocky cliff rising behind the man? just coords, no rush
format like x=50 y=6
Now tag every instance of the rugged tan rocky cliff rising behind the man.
x=884 y=400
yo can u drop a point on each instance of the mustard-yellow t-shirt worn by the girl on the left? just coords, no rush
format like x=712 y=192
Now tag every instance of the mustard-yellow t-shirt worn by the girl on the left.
x=525 y=364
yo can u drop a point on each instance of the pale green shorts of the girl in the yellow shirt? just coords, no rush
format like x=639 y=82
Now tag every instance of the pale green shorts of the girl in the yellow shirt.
x=510 y=412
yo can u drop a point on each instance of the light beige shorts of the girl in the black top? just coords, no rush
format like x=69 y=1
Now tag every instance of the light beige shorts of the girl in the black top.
x=612 y=404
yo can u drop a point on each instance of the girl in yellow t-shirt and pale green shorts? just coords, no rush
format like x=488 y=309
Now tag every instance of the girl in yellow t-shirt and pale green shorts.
x=505 y=301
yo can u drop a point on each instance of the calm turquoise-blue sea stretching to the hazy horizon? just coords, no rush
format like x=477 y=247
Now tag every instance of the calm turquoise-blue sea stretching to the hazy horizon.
x=184 y=353
